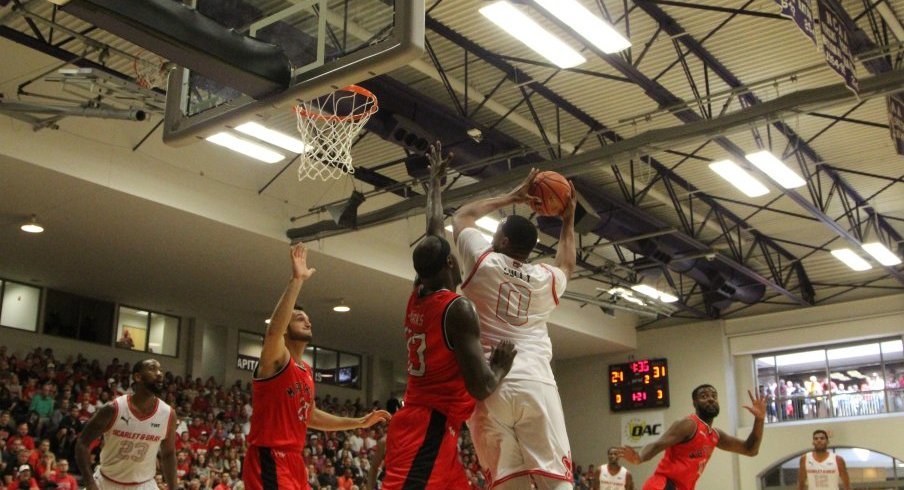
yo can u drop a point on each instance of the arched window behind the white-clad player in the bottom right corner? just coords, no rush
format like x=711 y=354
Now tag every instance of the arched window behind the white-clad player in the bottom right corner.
x=866 y=469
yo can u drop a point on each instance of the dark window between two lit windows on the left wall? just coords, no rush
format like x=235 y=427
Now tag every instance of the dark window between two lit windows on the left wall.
x=77 y=317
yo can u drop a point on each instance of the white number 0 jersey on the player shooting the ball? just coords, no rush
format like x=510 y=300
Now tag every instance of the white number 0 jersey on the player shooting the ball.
x=514 y=300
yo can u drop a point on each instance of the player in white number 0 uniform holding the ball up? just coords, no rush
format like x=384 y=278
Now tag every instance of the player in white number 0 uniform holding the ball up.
x=518 y=431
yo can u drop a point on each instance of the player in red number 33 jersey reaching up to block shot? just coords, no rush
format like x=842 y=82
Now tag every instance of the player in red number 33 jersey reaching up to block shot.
x=446 y=365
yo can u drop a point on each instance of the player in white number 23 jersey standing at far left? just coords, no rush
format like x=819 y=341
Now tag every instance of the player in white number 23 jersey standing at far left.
x=135 y=428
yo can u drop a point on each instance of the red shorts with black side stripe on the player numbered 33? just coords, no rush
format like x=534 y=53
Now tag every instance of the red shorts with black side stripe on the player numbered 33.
x=422 y=451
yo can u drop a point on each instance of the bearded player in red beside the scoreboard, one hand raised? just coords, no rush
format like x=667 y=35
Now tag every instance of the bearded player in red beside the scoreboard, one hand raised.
x=690 y=442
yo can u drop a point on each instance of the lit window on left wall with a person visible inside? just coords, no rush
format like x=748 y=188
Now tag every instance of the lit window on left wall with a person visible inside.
x=146 y=331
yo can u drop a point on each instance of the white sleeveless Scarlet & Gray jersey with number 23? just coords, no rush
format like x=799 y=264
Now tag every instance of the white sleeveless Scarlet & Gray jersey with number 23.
x=131 y=442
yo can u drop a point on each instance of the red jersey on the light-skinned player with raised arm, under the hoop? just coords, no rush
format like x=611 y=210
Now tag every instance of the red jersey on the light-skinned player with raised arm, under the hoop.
x=282 y=403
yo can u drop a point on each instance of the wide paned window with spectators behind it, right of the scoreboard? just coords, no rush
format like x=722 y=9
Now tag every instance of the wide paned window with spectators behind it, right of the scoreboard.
x=837 y=381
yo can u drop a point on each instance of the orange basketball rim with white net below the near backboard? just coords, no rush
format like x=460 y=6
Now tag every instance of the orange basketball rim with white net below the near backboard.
x=328 y=126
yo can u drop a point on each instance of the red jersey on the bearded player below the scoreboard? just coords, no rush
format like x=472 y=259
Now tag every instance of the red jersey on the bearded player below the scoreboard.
x=684 y=462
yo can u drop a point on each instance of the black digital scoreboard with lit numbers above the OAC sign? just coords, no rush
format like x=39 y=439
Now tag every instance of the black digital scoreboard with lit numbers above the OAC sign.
x=639 y=384
